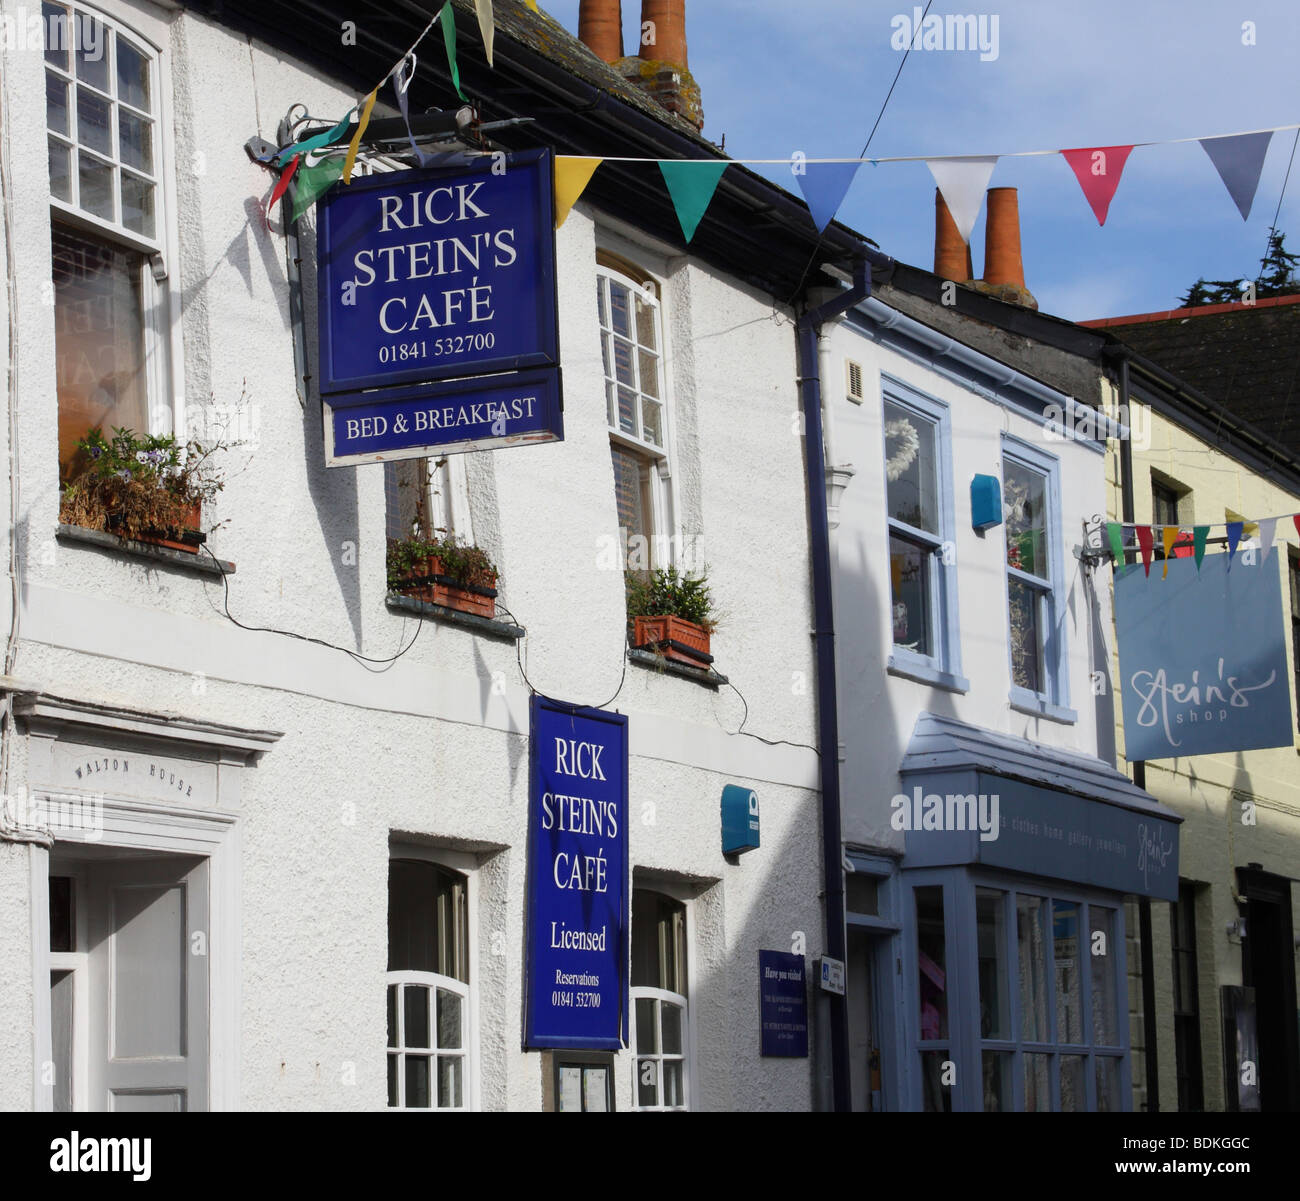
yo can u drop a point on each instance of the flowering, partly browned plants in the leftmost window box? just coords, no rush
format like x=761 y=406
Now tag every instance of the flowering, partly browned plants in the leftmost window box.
x=142 y=488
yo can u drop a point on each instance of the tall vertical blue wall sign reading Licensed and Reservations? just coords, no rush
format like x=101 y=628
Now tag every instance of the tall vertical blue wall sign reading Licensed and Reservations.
x=578 y=879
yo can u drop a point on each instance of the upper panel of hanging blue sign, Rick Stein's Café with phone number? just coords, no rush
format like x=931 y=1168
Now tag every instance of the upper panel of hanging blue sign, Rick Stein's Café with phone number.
x=439 y=274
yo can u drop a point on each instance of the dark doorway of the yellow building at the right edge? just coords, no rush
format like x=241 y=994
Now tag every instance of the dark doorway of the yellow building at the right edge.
x=1268 y=966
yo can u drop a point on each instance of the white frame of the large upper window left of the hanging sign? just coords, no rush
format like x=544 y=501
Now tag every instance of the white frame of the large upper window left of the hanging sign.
x=144 y=25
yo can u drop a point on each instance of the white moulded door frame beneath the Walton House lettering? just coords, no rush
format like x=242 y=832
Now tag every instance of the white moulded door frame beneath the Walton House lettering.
x=213 y=835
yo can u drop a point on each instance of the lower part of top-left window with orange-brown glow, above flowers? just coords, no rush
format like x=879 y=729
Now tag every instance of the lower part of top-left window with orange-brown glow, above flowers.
x=99 y=341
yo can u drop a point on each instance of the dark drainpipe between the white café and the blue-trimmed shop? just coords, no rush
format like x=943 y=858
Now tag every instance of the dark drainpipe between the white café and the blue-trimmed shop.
x=829 y=721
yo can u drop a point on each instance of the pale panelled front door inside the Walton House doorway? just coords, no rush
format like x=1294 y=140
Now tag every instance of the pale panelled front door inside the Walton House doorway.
x=148 y=926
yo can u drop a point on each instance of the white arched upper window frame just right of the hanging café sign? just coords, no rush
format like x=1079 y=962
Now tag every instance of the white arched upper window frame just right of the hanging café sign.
x=658 y=471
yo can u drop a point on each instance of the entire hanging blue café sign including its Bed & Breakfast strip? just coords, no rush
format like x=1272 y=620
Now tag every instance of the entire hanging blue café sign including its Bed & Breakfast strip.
x=431 y=276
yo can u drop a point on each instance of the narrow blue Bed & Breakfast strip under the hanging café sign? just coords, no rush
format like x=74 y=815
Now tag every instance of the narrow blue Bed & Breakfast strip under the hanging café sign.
x=457 y=415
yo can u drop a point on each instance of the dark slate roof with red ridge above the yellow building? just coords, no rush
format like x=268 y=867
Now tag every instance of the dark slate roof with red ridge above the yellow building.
x=1243 y=357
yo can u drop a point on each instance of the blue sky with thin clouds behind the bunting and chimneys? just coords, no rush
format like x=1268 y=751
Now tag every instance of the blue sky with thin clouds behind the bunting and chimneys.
x=781 y=76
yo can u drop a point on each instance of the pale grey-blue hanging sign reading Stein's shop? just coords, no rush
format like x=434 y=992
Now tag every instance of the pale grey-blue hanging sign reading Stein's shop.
x=1203 y=658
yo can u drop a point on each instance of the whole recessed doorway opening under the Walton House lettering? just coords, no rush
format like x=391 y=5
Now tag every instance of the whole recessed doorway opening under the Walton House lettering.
x=129 y=982
